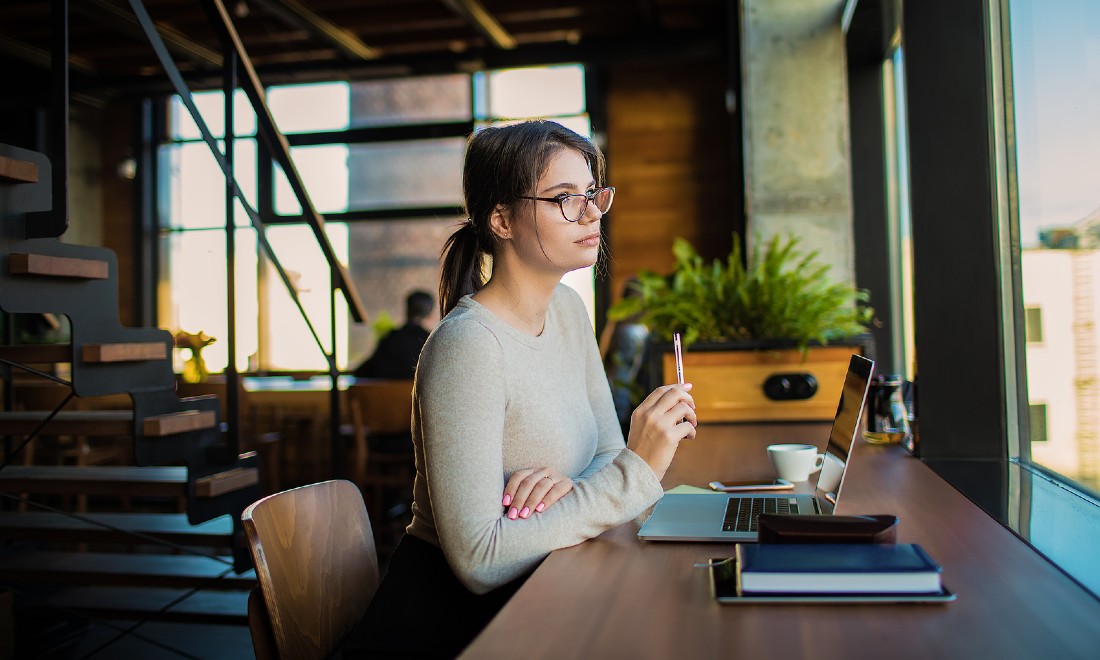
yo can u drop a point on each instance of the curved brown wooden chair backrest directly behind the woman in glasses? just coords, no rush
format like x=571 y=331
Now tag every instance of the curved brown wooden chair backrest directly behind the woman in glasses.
x=316 y=564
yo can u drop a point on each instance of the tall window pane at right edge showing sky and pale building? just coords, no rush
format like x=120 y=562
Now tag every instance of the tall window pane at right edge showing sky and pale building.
x=1057 y=94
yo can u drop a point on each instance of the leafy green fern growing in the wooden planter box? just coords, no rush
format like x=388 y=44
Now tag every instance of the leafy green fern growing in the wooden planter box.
x=783 y=294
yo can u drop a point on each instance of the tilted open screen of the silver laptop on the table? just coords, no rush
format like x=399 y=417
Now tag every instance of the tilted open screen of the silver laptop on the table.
x=842 y=437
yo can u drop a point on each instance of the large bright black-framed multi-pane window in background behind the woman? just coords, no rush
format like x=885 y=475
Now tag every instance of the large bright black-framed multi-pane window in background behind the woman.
x=382 y=160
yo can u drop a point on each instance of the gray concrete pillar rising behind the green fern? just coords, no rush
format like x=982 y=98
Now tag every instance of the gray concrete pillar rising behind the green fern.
x=795 y=102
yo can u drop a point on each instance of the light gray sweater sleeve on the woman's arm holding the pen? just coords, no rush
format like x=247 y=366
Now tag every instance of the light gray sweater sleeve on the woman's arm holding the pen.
x=463 y=402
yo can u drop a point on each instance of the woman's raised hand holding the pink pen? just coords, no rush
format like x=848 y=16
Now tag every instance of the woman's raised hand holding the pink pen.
x=659 y=424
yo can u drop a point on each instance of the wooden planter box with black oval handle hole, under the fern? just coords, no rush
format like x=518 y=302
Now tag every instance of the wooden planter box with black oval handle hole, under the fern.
x=729 y=378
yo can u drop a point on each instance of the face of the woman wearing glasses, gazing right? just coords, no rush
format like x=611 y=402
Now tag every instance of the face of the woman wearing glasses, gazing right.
x=552 y=243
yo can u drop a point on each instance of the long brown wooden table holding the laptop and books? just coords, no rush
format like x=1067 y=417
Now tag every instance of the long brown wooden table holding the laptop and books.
x=615 y=597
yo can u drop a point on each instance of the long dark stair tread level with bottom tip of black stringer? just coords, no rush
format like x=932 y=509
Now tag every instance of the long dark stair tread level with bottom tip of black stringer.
x=49 y=526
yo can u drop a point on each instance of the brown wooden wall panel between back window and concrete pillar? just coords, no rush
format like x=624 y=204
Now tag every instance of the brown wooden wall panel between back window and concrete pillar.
x=669 y=157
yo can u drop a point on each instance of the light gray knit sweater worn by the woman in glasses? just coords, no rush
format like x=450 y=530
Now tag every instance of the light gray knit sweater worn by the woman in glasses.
x=489 y=401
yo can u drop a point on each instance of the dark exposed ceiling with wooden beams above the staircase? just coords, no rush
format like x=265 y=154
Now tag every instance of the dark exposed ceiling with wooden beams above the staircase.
x=315 y=39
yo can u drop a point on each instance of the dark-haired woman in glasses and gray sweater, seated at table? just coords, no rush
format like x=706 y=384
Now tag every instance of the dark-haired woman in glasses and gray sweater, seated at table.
x=519 y=449
